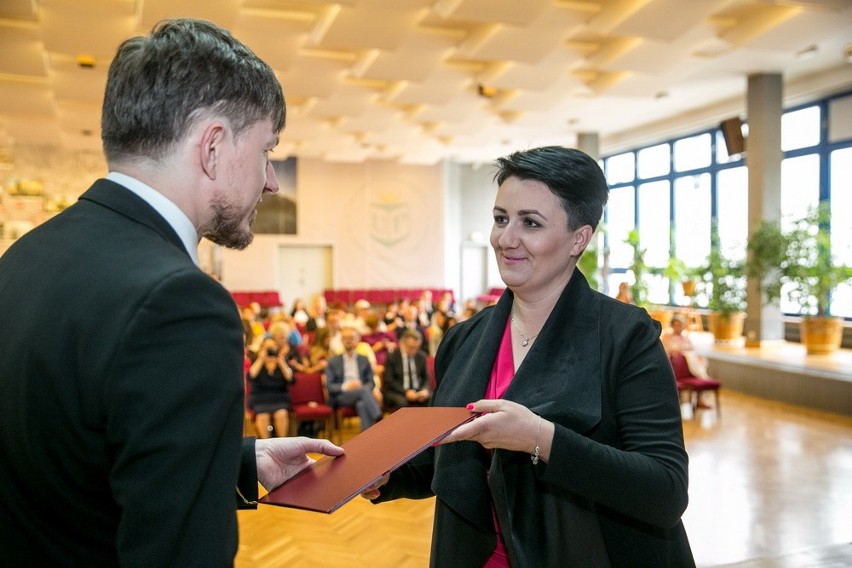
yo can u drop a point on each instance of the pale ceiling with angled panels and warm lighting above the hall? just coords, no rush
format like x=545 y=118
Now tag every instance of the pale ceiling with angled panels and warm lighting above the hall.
x=399 y=79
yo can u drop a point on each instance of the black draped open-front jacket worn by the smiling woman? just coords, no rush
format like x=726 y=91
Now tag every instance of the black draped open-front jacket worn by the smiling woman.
x=615 y=487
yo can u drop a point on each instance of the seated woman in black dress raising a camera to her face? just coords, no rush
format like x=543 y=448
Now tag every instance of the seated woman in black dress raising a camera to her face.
x=269 y=398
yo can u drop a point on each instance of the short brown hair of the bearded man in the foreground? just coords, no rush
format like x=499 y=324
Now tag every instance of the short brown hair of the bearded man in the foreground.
x=184 y=70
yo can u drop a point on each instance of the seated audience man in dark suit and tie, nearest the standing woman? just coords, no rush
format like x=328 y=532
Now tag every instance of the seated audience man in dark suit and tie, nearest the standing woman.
x=406 y=382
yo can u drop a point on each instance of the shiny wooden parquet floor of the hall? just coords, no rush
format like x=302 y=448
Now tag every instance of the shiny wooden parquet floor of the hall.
x=768 y=479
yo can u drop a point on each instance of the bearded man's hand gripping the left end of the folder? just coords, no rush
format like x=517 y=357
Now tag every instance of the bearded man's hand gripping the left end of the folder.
x=279 y=459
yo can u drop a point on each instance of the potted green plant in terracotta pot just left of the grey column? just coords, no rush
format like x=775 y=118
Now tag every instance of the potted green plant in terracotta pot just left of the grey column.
x=723 y=285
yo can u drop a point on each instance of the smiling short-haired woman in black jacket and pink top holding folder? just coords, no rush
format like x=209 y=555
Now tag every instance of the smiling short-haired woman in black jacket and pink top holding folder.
x=578 y=457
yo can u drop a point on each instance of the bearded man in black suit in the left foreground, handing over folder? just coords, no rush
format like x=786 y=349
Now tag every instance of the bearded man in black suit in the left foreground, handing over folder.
x=121 y=378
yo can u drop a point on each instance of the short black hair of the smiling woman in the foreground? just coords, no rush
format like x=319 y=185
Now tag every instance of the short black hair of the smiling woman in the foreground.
x=571 y=175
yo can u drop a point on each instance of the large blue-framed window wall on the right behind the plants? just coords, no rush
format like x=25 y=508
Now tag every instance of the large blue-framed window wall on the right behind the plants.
x=672 y=191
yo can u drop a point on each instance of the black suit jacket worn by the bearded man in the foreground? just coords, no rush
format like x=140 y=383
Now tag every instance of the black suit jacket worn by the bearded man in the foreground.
x=121 y=394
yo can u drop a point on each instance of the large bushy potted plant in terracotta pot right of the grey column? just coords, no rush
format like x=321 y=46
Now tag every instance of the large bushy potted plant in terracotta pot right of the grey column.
x=798 y=263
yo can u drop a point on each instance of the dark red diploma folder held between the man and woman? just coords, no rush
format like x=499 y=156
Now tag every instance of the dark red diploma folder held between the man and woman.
x=331 y=482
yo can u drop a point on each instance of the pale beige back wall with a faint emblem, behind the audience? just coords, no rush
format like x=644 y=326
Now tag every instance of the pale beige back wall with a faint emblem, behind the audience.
x=385 y=222
